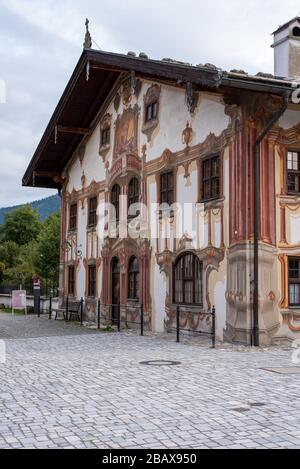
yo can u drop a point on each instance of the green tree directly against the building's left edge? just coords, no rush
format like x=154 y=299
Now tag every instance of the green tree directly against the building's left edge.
x=48 y=248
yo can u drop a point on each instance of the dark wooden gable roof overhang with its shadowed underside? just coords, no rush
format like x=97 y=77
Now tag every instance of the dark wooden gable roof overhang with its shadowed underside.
x=92 y=80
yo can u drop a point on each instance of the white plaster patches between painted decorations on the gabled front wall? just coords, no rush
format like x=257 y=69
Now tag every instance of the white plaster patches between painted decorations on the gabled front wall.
x=208 y=118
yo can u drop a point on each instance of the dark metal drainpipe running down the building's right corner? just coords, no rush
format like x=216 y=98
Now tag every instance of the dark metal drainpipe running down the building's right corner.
x=260 y=138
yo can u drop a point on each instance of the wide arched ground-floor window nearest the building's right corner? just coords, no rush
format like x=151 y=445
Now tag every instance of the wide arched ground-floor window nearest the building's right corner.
x=187 y=284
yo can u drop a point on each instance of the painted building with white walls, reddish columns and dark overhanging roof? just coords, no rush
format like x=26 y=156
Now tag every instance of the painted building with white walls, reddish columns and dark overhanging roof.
x=155 y=164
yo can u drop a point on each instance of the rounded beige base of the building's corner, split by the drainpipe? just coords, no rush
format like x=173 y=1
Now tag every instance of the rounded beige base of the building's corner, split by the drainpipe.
x=239 y=320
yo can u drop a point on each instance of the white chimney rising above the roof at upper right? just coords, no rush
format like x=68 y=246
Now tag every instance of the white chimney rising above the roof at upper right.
x=287 y=50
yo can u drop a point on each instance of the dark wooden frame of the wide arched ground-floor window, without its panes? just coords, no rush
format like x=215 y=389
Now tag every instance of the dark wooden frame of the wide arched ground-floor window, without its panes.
x=185 y=279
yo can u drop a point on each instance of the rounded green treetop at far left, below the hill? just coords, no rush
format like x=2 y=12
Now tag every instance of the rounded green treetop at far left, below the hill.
x=21 y=226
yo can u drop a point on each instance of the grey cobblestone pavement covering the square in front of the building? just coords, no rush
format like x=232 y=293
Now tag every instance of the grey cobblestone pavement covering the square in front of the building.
x=89 y=390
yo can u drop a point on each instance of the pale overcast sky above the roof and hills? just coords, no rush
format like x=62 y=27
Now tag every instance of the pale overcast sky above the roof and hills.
x=41 y=41
